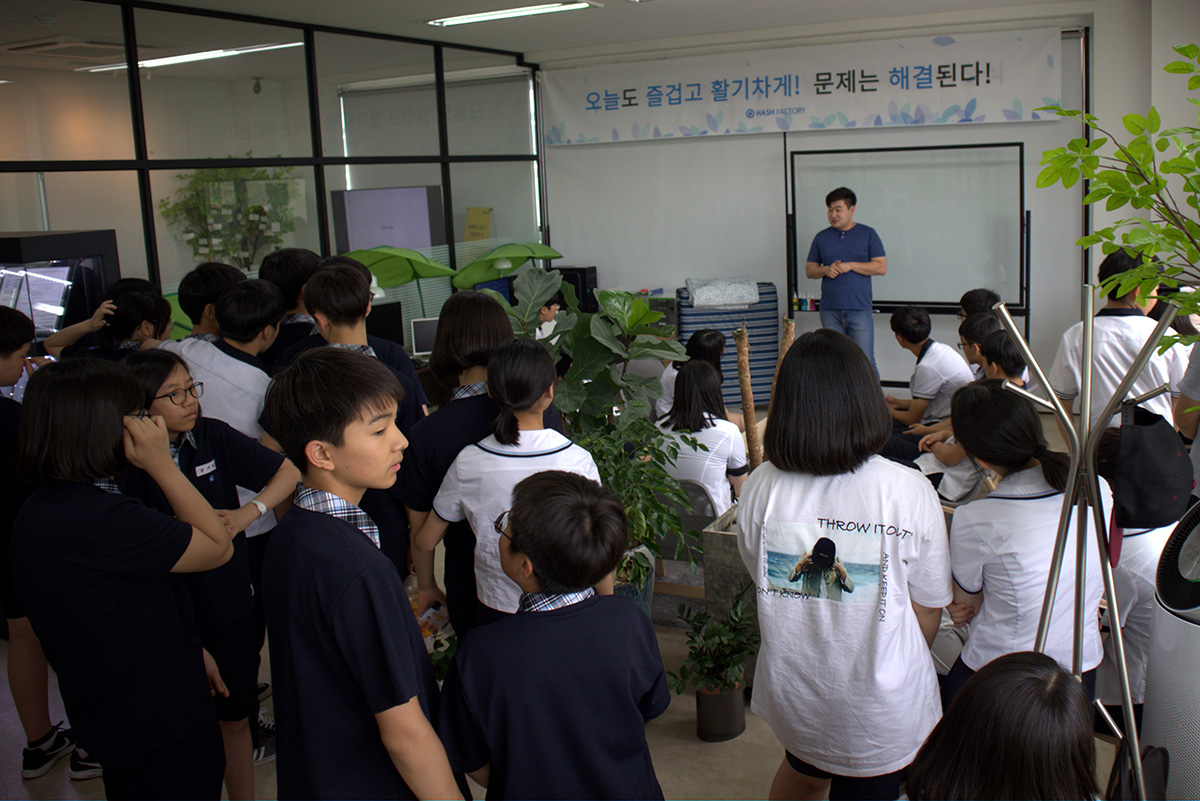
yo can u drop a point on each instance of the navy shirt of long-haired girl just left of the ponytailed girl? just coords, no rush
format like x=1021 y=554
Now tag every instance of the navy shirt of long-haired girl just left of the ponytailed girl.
x=433 y=448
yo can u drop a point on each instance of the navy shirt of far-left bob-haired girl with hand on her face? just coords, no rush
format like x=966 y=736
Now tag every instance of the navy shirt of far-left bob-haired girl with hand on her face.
x=93 y=570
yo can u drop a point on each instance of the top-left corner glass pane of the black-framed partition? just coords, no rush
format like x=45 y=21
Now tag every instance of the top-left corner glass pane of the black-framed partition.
x=51 y=106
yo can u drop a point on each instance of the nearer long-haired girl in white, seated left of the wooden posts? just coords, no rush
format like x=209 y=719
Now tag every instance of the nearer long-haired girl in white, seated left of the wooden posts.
x=699 y=411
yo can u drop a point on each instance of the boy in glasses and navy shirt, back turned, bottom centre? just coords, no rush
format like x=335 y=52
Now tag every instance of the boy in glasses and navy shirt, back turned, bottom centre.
x=553 y=702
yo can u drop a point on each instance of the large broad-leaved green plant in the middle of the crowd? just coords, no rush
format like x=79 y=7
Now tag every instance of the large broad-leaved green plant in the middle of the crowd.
x=605 y=406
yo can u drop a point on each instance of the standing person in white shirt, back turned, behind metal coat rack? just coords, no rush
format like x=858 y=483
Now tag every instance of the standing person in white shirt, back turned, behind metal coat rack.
x=1121 y=329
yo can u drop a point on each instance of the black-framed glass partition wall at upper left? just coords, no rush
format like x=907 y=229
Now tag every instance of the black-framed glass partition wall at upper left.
x=201 y=136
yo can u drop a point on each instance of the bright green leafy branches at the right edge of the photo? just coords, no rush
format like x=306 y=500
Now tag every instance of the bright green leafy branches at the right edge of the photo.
x=1138 y=174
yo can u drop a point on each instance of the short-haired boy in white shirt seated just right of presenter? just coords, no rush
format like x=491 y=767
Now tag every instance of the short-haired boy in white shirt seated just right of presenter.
x=939 y=374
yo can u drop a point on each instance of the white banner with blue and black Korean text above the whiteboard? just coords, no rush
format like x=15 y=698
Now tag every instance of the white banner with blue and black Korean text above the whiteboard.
x=999 y=77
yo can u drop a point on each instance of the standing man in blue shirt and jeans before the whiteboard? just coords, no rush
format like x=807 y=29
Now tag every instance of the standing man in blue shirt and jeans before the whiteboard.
x=844 y=257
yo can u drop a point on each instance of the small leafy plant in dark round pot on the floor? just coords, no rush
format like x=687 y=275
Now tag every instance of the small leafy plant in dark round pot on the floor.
x=717 y=648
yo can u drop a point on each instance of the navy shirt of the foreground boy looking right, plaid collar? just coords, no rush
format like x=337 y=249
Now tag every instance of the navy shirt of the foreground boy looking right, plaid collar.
x=345 y=647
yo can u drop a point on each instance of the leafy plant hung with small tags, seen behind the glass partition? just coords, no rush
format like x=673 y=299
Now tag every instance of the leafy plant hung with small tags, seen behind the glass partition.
x=231 y=214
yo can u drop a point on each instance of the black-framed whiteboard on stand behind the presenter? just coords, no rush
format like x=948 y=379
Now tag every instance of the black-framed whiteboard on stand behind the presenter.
x=950 y=218
